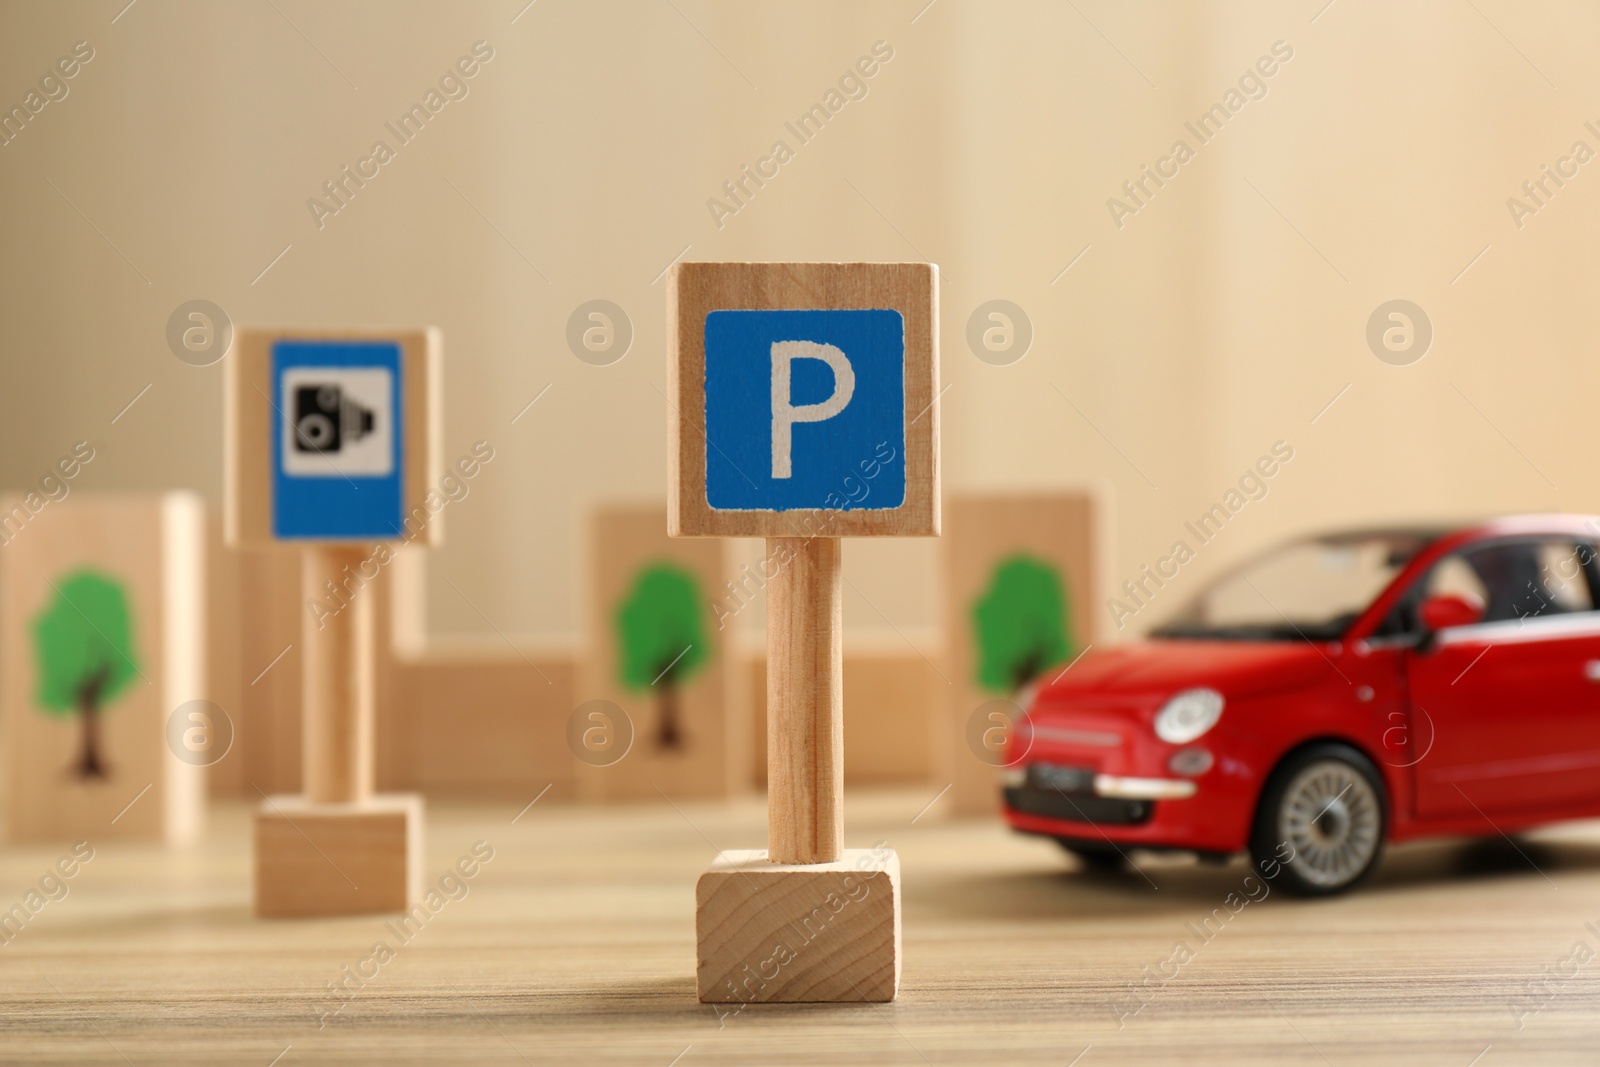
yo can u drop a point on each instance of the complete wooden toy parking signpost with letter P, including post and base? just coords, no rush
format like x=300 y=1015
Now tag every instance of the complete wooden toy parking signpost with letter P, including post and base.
x=802 y=412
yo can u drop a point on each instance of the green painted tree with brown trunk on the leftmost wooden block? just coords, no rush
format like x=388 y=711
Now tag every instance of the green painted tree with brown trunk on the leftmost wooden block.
x=84 y=655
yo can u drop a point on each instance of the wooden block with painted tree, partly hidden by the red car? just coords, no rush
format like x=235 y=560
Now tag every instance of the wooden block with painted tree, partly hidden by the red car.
x=1022 y=572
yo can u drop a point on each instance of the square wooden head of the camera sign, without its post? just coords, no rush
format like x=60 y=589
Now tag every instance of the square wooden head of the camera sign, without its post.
x=332 y=436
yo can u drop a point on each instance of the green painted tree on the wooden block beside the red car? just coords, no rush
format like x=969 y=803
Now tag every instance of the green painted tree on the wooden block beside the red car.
x=1020 y=625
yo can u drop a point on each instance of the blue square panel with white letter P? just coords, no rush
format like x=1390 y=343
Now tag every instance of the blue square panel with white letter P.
x=799 y=404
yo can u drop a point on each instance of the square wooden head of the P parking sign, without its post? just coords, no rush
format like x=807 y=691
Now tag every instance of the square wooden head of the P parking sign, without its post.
x=804 y=399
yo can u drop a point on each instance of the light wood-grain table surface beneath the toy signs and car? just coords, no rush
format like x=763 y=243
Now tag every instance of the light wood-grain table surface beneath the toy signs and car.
x=577 y=945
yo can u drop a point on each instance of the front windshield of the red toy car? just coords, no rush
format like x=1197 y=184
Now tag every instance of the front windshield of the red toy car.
x=1308 y=591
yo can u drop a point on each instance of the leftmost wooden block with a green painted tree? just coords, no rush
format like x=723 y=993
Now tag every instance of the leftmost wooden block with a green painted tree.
x=105 y=727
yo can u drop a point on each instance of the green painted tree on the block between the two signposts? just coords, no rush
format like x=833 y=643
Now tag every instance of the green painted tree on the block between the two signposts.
x=662 y=642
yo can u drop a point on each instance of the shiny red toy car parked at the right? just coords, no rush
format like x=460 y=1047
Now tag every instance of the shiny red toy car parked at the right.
x=1330 y=697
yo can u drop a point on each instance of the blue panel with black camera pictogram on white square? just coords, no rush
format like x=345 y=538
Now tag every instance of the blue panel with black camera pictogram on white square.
x=337 y=462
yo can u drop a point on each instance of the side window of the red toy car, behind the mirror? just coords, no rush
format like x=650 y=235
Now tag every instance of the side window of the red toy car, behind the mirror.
x=1516 y=578
